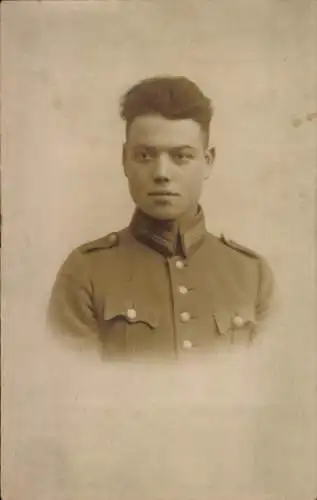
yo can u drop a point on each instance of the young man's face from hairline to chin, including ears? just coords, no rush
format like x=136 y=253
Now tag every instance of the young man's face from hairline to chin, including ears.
x=165 y=162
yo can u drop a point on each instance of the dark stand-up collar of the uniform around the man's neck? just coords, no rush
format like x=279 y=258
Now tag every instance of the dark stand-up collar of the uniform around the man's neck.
x=170 y=237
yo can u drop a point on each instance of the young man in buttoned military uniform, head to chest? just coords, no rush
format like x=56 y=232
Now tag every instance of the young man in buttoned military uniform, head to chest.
x=163 y=285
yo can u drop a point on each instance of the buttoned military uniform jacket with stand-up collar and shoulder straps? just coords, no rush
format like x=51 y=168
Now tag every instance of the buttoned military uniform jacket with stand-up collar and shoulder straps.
x=150 y=289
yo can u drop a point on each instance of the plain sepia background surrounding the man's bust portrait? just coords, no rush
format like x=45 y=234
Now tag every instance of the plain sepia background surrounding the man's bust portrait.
x=242 y=426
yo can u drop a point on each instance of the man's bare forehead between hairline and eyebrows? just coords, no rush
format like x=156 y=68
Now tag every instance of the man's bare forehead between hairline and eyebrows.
x=157 y=131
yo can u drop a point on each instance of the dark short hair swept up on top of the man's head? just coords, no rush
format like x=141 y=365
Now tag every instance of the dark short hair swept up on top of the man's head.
x=173 y=97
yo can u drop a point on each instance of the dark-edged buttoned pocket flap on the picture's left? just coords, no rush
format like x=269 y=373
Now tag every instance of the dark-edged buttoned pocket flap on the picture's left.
x=132 y=311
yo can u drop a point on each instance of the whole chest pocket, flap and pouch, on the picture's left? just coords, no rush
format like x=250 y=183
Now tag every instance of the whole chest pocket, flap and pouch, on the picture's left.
x=128 y=325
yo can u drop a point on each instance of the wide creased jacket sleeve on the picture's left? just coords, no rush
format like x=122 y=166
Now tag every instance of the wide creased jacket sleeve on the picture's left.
x=70 y=309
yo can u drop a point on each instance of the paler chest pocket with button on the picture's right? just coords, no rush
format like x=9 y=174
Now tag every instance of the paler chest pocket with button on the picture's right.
x=236 y=326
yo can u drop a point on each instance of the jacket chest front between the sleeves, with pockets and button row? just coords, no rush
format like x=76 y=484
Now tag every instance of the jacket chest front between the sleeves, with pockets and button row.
x=148 y=304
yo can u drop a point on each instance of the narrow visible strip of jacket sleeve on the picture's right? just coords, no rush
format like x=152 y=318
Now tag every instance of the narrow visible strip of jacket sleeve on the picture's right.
x=266 y=295
